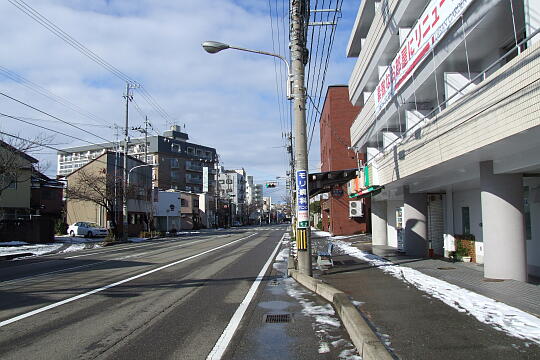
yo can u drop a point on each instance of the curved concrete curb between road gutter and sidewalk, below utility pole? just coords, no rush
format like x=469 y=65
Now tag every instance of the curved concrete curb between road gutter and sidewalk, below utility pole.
x=369 y=346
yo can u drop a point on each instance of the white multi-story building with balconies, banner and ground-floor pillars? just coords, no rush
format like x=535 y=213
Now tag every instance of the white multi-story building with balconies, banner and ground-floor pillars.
x=451 y=125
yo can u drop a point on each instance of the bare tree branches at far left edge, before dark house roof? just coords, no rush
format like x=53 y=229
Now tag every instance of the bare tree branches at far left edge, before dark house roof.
x=16 y=165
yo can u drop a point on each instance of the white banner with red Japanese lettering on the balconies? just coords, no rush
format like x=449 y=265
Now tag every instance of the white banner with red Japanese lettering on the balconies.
x=431 y=27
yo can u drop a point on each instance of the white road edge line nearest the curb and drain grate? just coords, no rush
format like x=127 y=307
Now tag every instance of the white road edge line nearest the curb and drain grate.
x=225 y=338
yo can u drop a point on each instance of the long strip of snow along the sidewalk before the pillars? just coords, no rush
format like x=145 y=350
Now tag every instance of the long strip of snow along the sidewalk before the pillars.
x=503 y=317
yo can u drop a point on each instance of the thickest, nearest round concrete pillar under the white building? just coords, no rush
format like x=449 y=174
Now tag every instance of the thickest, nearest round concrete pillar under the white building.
x=503 y=228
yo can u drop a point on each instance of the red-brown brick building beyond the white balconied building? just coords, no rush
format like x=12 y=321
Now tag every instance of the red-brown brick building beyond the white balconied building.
x=336 y=119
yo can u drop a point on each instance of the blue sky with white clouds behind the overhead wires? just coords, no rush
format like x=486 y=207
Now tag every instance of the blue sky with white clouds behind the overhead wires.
x=229 y=101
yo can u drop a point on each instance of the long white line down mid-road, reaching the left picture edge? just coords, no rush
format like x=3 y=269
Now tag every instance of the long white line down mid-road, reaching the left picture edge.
x=80 y=296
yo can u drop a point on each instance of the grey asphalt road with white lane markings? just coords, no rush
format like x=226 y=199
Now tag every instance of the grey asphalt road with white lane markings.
x=165 y=299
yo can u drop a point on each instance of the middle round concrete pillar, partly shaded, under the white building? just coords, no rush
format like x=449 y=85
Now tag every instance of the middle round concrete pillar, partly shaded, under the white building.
x=415 y=222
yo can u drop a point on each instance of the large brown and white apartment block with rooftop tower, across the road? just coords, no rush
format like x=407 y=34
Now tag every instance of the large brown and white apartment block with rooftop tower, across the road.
x=180 y=164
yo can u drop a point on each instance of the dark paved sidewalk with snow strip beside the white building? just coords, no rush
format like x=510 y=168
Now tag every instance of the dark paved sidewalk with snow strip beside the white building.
x=422 y=308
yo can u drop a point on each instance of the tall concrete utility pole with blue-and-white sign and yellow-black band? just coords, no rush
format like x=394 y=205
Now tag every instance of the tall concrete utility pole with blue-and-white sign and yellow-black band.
x=299 y=23
